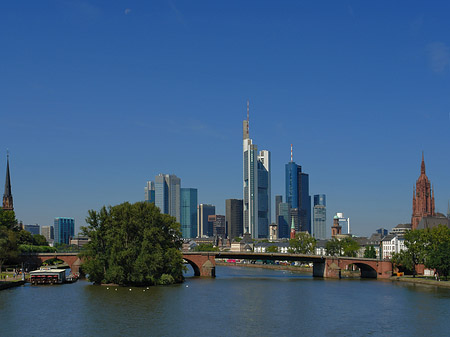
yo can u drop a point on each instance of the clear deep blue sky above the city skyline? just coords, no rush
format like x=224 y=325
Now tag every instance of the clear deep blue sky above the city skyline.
x=97 y=97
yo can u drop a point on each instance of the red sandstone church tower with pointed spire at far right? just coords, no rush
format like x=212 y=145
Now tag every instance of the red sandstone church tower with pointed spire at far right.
x=423 y=198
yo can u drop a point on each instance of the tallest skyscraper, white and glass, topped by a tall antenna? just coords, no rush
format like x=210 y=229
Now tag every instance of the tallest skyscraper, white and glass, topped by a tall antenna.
x=256 y=186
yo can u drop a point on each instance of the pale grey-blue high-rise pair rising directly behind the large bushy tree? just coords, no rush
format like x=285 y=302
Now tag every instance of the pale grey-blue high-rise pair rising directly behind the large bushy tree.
x=167 y=194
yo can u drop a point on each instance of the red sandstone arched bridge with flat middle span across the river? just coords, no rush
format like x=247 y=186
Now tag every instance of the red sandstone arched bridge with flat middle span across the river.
x=204 y=263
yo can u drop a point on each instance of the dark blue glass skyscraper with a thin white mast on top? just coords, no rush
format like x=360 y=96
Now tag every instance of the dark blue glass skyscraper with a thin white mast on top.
x=297 y=195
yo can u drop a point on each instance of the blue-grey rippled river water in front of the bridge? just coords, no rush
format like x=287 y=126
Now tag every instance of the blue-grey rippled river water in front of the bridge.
x=239 y=302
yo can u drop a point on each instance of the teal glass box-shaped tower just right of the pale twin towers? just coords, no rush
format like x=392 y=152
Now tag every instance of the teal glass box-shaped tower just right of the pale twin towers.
x=189 y=212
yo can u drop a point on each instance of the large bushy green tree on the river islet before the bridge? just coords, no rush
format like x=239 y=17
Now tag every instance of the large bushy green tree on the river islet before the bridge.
x=132 y=244
